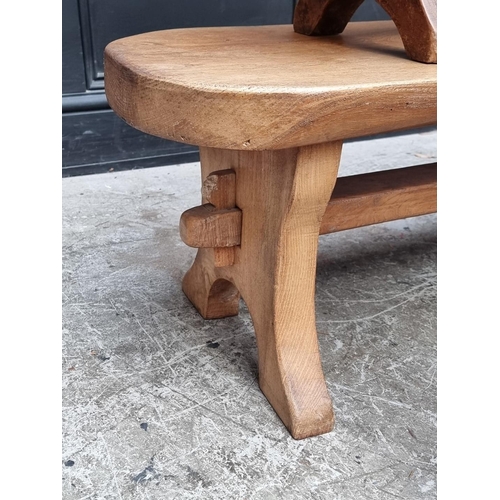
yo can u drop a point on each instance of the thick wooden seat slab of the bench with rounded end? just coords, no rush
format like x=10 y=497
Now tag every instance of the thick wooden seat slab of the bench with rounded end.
x=259 y=88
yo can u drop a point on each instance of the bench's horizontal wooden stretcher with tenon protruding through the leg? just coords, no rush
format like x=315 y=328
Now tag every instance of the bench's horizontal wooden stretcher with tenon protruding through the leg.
x=358 y=200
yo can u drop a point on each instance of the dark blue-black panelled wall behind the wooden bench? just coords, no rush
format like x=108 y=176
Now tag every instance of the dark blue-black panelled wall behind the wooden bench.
x=94 y=138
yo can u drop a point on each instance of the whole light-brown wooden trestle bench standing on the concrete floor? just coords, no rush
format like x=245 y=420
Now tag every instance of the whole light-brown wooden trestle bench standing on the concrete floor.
x=269 y=109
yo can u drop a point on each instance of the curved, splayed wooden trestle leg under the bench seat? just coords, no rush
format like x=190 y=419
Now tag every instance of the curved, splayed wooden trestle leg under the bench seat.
x=283 y=195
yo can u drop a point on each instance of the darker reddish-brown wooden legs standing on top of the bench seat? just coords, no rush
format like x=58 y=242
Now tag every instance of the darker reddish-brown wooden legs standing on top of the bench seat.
x=416 y=21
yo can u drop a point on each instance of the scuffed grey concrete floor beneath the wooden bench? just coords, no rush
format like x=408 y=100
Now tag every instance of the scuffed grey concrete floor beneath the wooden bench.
x=160 y=404
